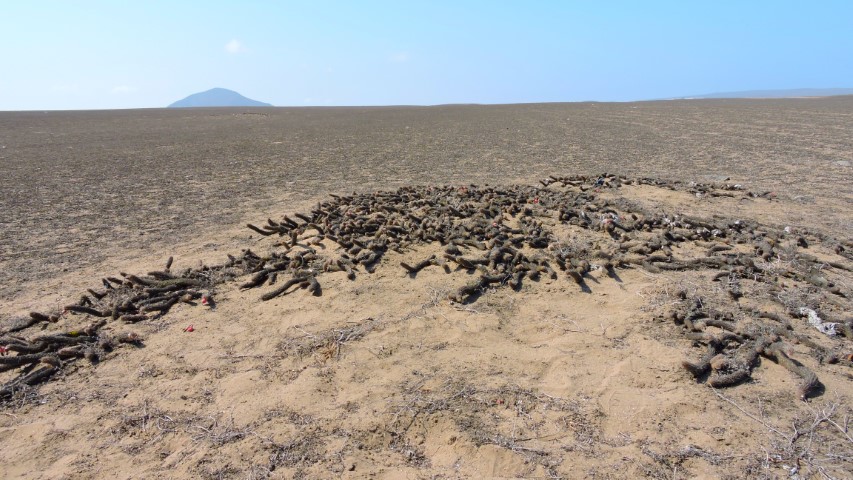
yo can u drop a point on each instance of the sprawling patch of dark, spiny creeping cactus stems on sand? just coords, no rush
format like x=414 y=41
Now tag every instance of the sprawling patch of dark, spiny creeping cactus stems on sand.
x=502 y=237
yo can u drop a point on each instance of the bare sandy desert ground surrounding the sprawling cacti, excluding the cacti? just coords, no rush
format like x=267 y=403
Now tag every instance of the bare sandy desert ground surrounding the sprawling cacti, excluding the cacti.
x=384 y=377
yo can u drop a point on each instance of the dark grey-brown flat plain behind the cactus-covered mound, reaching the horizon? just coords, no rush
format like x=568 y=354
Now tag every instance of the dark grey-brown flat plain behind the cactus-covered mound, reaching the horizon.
x=77 y=183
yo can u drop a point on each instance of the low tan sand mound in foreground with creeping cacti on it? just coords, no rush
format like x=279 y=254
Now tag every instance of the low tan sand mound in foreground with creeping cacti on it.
x=585 y=327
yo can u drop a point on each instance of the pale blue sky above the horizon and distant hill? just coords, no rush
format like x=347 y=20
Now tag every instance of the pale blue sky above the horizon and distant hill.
x=131 y=54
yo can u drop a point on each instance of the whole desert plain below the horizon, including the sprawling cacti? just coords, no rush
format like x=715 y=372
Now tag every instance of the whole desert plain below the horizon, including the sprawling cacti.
x=641 y=280
